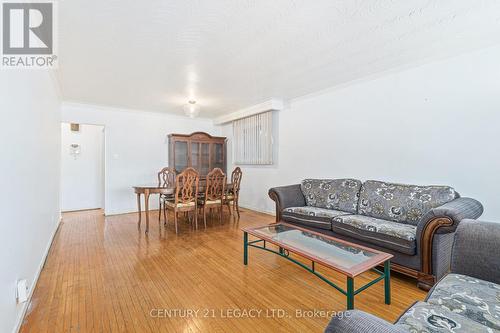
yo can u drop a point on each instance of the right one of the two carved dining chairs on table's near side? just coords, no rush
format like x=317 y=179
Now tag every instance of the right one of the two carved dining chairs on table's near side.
x=215 y=183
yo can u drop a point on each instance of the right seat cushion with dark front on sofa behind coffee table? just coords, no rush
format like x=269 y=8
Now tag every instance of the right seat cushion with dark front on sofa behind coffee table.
x=397 y=236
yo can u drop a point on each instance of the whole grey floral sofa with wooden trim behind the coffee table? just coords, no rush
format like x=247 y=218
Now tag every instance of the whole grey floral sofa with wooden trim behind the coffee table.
x=414 y=223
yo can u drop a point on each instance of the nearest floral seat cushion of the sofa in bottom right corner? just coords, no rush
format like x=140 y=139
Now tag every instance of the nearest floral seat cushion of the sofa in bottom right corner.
x=429 y=318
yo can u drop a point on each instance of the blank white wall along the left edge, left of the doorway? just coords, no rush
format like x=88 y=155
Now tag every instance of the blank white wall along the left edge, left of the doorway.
x=29 y=201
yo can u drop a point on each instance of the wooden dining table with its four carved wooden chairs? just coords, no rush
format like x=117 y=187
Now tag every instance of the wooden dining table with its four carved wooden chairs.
x=190 y=196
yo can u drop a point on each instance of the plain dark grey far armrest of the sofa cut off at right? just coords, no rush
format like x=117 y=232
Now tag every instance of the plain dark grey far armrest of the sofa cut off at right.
x=475 y=250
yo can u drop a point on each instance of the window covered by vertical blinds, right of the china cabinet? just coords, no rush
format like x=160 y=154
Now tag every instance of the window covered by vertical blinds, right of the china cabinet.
x=253 y=140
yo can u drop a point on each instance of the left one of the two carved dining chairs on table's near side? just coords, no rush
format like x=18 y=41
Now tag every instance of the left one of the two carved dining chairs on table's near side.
x=186 y=195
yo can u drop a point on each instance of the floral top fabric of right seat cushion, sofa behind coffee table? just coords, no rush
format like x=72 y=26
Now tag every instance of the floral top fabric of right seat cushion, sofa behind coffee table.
x=398 y=230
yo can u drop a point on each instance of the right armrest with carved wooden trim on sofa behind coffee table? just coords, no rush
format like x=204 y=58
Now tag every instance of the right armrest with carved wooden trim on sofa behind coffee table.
x=440 y=220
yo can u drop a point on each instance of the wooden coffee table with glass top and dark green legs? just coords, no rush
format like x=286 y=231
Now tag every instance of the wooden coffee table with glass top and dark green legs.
x=344 y=257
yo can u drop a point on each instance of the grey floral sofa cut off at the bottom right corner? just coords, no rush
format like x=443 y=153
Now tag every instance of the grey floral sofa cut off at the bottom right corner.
x=464 y=301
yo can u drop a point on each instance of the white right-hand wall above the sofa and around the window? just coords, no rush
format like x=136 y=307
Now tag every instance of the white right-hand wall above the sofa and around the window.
x=434 y=124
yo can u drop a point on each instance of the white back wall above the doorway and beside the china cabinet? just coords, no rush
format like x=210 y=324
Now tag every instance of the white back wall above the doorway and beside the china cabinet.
x=136 y=147
